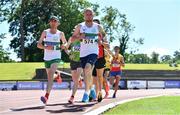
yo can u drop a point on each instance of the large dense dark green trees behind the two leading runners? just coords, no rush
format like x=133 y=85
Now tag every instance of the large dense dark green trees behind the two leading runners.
x=32 y=17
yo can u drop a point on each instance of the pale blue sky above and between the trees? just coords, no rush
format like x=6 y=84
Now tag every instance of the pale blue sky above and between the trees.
x=157 y=21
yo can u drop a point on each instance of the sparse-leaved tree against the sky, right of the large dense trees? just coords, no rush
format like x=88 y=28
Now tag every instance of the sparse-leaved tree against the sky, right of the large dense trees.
x=119 y=28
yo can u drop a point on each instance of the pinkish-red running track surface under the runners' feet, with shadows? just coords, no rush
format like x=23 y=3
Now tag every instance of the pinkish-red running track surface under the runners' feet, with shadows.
x=27 y=102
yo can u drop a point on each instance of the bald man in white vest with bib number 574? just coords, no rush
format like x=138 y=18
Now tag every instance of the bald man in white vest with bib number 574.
x=88 y=33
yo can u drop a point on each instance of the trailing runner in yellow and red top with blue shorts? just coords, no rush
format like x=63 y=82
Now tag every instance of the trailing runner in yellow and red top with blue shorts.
x=116 y=70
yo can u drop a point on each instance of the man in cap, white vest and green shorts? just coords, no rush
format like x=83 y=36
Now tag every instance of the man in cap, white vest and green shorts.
x=50 y=43
